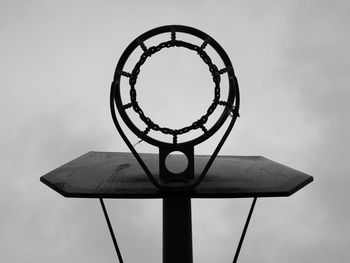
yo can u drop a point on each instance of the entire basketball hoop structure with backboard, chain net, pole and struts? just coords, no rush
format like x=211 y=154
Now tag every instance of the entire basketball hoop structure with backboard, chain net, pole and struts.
x=174 y=178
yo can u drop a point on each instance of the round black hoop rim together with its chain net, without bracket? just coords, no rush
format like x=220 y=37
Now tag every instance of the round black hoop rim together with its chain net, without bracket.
x=216 y=74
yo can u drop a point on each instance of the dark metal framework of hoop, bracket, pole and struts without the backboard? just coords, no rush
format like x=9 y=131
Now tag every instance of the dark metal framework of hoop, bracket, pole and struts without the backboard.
x=177 y=228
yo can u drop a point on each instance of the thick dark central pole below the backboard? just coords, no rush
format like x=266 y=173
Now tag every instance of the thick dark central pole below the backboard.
x=177 y=230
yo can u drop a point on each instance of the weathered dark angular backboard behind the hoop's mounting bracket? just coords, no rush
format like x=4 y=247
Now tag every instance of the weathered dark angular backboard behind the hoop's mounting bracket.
x=119 y=175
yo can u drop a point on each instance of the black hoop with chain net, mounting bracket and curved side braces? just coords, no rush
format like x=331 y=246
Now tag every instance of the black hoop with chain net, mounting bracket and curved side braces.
x=184 y=181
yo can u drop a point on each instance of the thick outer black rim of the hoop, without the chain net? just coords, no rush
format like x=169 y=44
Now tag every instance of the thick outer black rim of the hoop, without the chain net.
x=231 y=105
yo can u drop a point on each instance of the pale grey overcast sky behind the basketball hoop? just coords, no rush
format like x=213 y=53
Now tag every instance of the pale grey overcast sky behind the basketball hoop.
x=57 y=62
